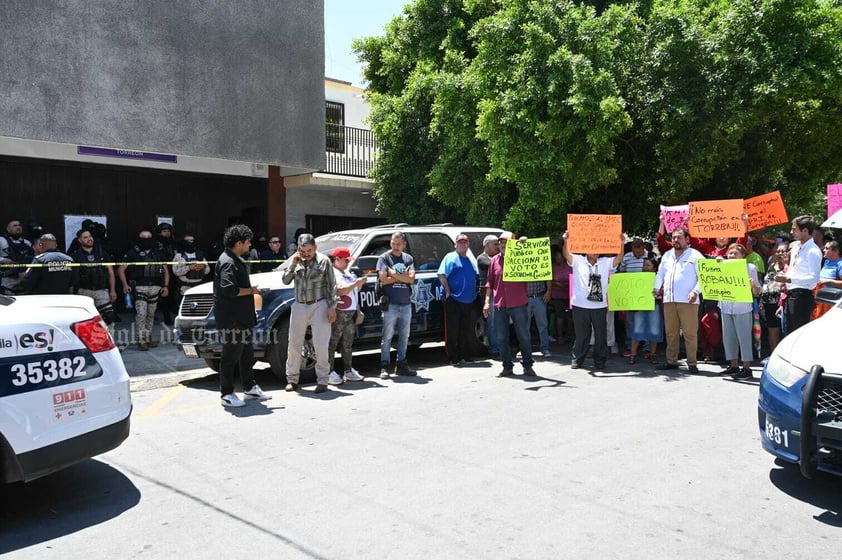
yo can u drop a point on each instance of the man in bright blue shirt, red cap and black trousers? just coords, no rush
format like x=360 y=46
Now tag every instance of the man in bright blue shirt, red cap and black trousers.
x=458 y=276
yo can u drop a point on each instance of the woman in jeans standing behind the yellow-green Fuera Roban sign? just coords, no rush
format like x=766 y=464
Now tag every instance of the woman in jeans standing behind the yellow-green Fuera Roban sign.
x=737 y=322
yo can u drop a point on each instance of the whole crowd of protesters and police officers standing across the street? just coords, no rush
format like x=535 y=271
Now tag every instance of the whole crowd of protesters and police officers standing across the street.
x=571 y=307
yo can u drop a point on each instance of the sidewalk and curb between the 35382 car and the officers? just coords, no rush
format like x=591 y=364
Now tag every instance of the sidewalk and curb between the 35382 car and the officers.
x=163 y=366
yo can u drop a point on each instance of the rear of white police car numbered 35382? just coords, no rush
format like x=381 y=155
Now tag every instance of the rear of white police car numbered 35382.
x=64 y=391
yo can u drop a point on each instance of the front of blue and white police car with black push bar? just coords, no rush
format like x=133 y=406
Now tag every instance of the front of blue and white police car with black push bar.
x=800 y=402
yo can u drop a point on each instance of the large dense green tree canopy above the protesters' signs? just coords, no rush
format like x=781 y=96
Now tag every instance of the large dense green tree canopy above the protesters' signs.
x=519 y=111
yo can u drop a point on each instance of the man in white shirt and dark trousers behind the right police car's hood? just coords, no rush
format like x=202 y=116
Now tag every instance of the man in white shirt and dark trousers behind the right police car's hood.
x=805 y=265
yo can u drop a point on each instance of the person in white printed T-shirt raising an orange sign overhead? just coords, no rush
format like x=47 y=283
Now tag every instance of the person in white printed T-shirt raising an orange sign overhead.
x=590 y=302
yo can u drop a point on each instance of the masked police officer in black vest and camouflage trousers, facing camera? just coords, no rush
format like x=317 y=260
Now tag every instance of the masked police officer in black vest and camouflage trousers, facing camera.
x=148 y=281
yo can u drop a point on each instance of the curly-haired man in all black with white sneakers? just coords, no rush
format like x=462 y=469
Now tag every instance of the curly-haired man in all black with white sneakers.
x=233 y=300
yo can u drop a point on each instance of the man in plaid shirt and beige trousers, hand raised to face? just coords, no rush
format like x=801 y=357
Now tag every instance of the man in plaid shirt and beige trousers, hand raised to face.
x=314 y=307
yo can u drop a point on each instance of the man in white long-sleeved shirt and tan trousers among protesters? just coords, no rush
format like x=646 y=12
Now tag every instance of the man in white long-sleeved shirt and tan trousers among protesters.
x=677 y=282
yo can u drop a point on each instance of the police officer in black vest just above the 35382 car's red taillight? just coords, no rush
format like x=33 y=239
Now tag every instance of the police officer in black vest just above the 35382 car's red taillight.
x=92 y=278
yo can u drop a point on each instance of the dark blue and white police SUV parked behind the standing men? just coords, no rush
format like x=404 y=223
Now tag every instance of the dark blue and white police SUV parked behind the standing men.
x=195 y=327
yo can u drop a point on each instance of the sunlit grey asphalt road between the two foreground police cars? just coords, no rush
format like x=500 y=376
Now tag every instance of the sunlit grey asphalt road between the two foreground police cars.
x=455 y=463
